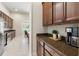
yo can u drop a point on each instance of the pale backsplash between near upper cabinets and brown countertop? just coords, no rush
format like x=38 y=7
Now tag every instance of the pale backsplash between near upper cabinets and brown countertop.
x=61 y=28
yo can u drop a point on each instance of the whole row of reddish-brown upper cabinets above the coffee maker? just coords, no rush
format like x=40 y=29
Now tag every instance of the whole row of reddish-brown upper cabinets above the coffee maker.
x=60 y=12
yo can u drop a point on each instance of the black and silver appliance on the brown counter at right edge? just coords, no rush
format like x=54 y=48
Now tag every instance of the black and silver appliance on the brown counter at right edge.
x=72 y=36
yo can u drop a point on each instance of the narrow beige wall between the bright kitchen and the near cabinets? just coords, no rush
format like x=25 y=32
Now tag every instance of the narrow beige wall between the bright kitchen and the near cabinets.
x=37 y=22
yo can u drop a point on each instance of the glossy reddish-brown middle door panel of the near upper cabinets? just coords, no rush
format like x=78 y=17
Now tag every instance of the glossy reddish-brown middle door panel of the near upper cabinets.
x=58 y=12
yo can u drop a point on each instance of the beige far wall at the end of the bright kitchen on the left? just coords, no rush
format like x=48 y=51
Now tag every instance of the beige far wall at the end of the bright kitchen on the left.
x=18 y=20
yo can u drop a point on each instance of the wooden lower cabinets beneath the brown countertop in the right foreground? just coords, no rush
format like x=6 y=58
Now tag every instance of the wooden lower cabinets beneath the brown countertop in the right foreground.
x=44 y=50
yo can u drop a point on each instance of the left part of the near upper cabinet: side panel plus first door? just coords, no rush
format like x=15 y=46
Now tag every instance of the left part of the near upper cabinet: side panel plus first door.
x=53 y=13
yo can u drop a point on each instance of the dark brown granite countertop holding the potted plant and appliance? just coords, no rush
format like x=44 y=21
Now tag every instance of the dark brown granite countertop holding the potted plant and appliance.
x=59 y=45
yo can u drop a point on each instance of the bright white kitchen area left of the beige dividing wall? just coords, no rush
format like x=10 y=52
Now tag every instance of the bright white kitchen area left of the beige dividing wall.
x=13 y=23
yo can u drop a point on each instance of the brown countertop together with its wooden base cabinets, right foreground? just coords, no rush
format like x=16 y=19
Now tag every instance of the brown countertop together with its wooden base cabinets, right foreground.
x=49 y=47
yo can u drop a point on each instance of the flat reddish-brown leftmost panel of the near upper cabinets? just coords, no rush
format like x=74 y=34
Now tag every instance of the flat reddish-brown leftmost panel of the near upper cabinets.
x=47 y=13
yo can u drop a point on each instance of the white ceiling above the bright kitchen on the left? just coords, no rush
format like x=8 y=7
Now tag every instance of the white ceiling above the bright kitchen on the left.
x=22 y=7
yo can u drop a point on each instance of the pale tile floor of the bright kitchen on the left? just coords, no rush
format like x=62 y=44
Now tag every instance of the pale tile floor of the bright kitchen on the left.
x=17 y=47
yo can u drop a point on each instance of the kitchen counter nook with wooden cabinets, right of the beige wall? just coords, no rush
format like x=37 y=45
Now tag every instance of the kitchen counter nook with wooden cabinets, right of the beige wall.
x=61 y=20
